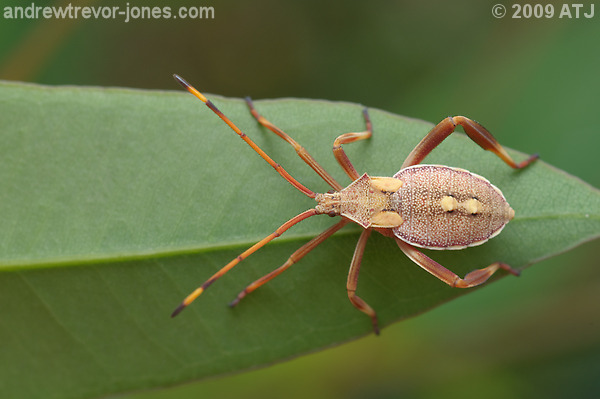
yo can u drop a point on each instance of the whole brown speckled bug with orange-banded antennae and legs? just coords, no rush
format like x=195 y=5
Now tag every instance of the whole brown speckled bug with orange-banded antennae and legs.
x=426 y=206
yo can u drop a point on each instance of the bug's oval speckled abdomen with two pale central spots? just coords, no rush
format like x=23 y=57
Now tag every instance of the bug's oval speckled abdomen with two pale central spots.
x=448 y=208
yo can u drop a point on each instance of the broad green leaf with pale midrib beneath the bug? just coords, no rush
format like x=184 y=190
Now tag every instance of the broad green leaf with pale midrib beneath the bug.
x=116 y=203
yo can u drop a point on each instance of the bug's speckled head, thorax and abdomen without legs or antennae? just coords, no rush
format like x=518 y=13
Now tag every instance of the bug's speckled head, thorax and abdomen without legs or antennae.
x=429 y=206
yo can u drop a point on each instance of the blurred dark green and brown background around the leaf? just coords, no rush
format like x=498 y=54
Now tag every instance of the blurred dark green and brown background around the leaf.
x=532 y=81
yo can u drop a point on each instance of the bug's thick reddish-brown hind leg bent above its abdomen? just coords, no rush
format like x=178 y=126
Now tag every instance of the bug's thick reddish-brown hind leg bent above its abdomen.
x=474 y=130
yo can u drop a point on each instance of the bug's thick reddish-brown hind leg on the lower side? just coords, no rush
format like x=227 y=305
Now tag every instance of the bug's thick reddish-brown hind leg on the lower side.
x=476 y=277
